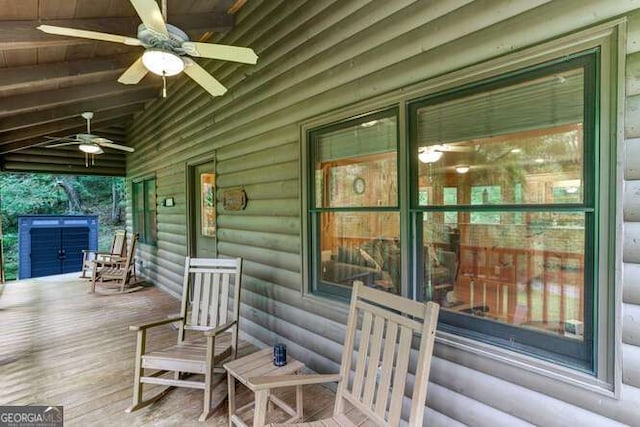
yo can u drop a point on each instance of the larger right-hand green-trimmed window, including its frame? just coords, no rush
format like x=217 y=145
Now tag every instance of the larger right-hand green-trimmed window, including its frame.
x=516 y=266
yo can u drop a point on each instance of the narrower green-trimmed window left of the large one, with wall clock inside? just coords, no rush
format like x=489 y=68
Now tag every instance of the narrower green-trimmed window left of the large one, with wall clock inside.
x=354 y=211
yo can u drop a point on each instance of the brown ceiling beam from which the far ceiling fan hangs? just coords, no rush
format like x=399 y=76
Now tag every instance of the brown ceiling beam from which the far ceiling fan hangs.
x=134 y=95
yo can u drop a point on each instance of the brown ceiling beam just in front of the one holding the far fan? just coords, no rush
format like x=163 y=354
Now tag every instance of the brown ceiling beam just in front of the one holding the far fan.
x=18 y=104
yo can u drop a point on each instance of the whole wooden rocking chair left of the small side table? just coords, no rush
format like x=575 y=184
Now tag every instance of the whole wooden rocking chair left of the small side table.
x=214 y=315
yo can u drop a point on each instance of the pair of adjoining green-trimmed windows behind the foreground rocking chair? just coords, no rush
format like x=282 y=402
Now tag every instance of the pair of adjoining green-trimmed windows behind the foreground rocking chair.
x=503 y=208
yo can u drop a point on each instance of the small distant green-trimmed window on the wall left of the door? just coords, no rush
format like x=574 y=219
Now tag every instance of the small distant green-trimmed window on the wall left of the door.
x=144 y=210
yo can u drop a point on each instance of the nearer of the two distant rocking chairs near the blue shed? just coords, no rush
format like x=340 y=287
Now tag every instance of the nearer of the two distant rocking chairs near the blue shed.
x=115 y=273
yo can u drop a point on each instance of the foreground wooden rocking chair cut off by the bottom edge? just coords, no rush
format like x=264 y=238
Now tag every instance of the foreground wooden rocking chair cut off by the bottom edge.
x=382 y=362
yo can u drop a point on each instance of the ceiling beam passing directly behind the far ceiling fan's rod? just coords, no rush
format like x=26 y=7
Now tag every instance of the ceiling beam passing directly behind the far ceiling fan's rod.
x=70 y=126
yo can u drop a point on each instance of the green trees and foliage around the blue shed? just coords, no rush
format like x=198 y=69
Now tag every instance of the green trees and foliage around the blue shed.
x=42 y=194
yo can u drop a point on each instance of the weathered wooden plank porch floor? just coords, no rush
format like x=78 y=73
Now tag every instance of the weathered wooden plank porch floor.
x=62 y=346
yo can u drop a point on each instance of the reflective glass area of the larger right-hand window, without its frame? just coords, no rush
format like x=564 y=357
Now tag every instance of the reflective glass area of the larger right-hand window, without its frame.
x=508 y=162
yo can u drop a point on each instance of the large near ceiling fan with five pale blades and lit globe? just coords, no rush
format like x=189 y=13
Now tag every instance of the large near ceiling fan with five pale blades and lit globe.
x=168 y=50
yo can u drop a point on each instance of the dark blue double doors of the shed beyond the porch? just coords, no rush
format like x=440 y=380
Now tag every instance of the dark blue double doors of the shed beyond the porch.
x=57 y=250
